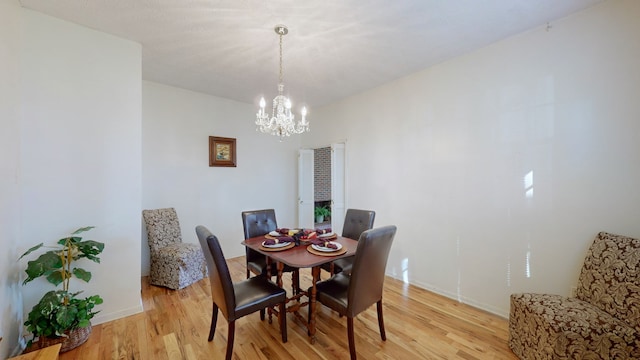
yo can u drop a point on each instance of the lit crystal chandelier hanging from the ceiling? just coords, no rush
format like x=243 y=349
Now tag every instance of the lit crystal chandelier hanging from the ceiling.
x=282 y=121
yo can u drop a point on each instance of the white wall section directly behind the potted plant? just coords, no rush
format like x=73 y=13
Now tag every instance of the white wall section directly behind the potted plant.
x=80 y=153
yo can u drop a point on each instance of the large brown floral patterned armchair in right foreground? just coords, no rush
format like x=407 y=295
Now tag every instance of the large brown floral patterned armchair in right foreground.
x=601 y=322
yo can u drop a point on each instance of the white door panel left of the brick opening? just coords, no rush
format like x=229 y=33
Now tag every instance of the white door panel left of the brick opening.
x=305 y=189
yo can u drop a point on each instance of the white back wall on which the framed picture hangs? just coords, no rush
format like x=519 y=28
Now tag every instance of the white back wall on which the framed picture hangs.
x=175 y=165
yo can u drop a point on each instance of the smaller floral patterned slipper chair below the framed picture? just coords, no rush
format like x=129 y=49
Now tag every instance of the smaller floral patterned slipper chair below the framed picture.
x=174 y=264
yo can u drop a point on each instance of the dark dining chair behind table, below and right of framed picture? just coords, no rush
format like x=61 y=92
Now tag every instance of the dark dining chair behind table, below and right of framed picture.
x=257 y=223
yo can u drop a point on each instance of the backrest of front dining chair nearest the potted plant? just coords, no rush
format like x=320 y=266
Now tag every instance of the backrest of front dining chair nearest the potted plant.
x=219 y=277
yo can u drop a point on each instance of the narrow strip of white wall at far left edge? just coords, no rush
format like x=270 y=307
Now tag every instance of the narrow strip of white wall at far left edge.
x=10 y=289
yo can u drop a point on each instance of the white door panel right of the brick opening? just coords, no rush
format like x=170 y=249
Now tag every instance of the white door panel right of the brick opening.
x=337 y=187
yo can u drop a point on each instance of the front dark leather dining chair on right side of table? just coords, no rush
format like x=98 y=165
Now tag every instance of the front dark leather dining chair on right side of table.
x=351 y=294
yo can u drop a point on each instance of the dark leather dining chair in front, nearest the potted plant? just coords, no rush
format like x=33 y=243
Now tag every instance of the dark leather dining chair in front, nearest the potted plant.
x=236 y=300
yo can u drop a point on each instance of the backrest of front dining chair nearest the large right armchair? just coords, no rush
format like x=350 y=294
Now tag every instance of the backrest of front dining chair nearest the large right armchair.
x=369 y=264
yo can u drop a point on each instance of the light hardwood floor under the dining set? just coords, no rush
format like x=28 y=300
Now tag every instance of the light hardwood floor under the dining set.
x=419 y=325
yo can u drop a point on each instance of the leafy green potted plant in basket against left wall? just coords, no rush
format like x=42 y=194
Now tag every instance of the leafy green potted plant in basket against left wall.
x=61 y=316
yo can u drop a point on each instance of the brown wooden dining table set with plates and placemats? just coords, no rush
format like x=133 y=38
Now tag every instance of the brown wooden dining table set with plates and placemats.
x=302 y=256
